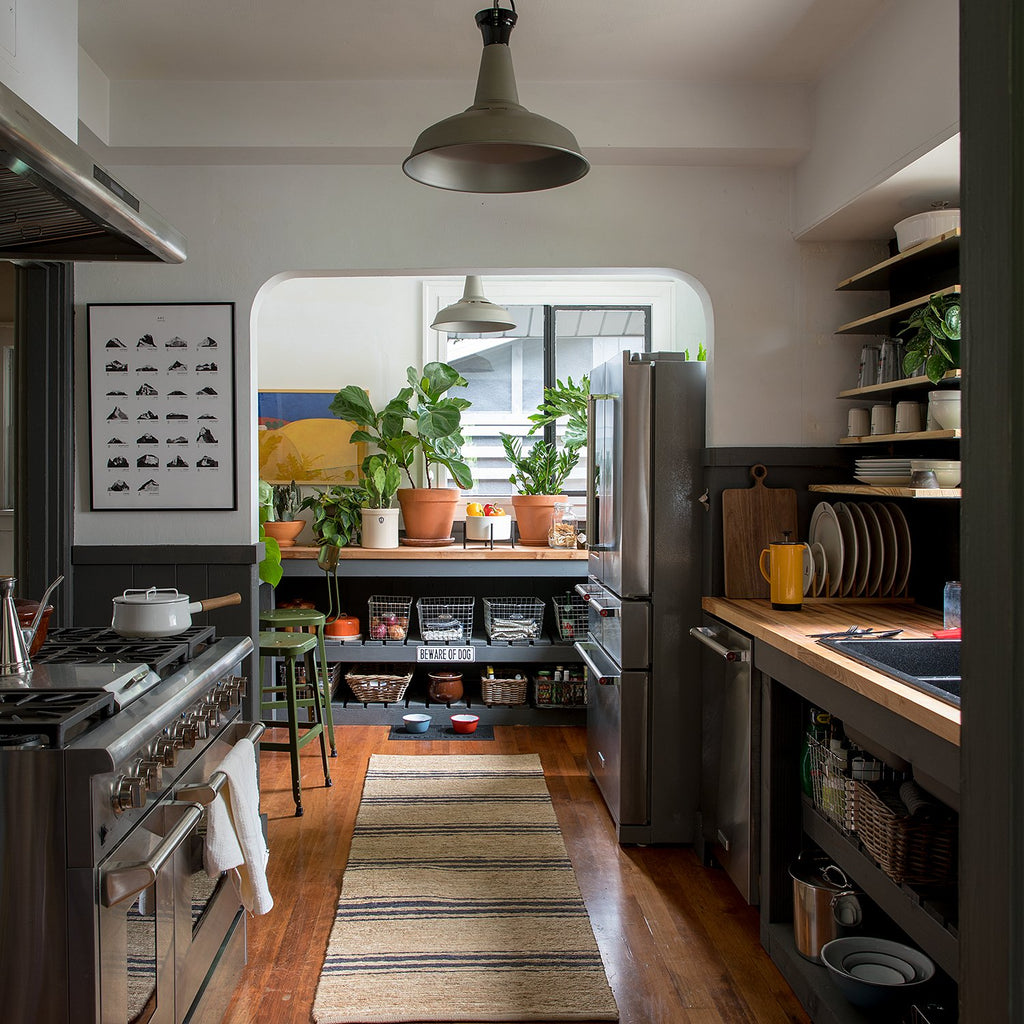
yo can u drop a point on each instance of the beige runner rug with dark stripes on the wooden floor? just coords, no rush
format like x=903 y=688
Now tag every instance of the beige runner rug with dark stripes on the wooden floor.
x=459 y=903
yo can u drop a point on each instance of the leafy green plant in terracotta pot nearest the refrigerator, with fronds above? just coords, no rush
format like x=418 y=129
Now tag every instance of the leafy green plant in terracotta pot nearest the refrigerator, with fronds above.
x=540 y=473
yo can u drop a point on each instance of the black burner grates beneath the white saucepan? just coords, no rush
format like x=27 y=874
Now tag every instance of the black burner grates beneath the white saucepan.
x=94 y=646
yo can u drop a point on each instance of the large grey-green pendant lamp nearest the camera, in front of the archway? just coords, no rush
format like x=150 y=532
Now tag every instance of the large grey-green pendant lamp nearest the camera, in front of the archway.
x=496 y=146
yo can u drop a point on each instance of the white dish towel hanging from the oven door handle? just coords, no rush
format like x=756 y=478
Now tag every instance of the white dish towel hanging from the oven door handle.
x=234 y=838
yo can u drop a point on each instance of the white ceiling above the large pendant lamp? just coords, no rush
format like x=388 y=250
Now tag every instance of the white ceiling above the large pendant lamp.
x=554 y=40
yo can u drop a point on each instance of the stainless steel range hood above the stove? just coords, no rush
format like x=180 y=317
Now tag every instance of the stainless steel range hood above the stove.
x=58 y=204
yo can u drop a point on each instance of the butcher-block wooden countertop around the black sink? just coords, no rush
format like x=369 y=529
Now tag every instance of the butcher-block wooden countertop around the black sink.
x=788 y=632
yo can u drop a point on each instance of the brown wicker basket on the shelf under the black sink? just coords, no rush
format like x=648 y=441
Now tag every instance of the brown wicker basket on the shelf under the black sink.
x=907 y=848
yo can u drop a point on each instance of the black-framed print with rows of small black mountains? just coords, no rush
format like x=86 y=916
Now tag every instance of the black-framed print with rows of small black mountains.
x=162 y=406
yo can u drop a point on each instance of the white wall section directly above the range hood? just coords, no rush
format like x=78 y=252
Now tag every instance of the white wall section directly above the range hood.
x=39 y=58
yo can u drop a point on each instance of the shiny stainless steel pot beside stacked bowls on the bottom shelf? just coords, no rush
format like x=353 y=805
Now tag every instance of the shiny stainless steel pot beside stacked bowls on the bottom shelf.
x=825 y=905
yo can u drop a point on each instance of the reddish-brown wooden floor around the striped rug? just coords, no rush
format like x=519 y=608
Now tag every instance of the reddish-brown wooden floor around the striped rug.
x=680 y=946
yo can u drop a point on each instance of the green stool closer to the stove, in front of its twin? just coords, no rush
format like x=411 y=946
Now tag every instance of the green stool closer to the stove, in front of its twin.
x=290 y=648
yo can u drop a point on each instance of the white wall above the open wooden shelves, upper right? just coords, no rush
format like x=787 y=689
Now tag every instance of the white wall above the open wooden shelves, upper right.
x=891 y=98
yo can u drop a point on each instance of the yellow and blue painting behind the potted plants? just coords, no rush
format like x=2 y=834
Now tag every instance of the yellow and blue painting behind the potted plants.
x=302 y=441
